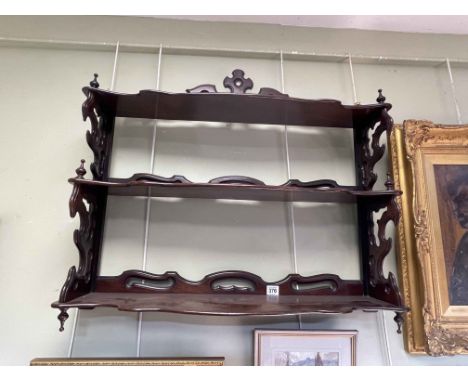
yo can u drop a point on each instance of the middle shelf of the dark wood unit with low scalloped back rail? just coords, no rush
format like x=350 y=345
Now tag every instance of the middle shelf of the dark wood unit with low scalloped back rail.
x=324 y=191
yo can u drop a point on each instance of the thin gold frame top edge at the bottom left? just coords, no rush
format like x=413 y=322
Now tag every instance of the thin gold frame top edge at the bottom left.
x=179 y=361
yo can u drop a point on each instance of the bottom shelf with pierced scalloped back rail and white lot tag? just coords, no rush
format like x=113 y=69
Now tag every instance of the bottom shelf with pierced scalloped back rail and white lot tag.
x=226 y=293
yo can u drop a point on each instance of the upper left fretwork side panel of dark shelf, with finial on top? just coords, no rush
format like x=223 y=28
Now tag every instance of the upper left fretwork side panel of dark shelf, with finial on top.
x=100 y=136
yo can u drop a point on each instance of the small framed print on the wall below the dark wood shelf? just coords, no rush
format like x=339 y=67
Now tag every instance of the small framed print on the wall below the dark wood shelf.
x=305 y=348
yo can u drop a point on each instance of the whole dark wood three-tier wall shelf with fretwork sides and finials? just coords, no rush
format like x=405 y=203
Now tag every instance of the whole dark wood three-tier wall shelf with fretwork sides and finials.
x=230 y=292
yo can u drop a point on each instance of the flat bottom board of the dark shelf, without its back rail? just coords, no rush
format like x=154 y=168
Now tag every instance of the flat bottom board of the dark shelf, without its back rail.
x=227 y=304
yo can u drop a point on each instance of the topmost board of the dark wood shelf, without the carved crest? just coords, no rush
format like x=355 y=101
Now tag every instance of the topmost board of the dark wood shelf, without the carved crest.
x=234 y=108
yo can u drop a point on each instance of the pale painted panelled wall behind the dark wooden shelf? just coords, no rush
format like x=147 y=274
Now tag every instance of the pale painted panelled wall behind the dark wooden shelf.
x=42 y=140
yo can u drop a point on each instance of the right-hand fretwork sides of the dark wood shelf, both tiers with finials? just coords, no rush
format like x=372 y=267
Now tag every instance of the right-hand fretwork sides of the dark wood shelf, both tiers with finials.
x=375 y=246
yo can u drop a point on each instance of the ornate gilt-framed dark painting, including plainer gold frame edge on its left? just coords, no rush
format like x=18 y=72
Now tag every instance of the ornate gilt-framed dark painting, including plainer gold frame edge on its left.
x=430 y=166
